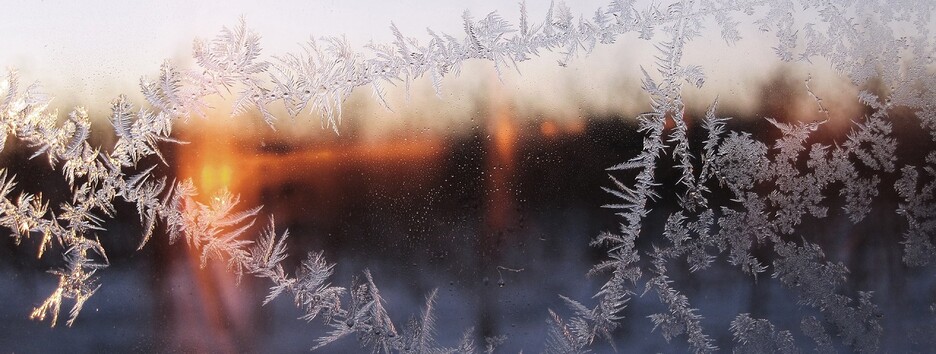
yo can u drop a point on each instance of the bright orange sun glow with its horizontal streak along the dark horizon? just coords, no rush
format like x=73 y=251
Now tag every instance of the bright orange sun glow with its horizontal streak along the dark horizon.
x=216 y=158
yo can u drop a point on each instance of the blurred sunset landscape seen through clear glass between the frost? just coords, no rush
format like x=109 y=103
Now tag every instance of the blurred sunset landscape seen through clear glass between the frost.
x=489 y=193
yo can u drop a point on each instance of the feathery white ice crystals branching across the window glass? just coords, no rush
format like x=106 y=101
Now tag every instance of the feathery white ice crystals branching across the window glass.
x=774 y=184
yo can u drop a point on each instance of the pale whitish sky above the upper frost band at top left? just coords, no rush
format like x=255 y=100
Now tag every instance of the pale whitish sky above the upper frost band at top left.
x=89 y=47
